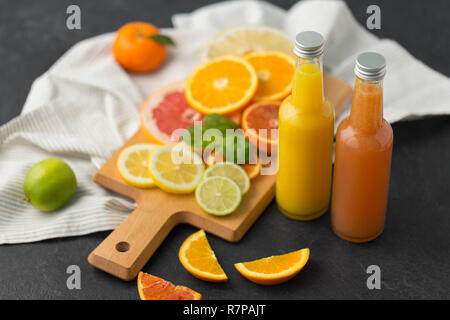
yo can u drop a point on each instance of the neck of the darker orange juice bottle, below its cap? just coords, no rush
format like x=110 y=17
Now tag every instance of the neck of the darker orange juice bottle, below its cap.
x=367 y=107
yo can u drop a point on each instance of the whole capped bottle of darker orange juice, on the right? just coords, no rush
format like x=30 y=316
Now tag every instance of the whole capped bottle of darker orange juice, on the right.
x=363 y=157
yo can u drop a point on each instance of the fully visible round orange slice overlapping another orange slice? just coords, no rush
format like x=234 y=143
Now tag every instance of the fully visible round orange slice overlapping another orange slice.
x=221 y=85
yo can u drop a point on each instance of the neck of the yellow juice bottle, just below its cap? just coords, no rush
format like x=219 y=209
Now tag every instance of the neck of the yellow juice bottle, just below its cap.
x=307 y=91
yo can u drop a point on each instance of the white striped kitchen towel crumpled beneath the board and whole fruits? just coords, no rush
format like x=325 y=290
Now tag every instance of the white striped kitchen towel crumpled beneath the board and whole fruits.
x=86 y=106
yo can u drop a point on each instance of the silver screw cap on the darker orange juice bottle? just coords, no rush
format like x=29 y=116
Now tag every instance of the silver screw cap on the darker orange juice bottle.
x=370 y=66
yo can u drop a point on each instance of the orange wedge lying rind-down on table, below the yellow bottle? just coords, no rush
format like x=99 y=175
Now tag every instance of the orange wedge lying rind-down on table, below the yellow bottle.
x=274 y=269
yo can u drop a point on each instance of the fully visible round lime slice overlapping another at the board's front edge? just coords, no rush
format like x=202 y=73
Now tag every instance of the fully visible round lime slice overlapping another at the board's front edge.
x=218 y=195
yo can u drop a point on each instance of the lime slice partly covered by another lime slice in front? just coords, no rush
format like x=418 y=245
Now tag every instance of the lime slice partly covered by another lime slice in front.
x=232 y=171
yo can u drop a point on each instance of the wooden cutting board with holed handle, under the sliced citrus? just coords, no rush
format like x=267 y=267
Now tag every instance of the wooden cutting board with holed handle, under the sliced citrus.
x=128 y=248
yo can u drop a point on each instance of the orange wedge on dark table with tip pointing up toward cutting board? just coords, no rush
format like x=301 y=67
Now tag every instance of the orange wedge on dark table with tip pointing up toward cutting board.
x=199 y=259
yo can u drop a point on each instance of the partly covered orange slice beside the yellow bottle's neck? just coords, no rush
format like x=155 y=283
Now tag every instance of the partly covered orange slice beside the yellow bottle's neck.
x=275 y=72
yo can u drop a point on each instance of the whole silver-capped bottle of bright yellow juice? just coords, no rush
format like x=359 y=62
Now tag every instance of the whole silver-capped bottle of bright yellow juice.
x=306 y=131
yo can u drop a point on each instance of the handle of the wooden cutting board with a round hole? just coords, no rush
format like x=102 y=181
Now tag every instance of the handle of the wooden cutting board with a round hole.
x=126 y=250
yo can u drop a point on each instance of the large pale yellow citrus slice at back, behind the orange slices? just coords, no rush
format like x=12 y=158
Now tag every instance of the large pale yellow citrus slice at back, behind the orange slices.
x=241 y=40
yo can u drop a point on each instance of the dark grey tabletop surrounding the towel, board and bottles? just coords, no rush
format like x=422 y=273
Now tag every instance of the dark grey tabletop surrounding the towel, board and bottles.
x=413 y=252
